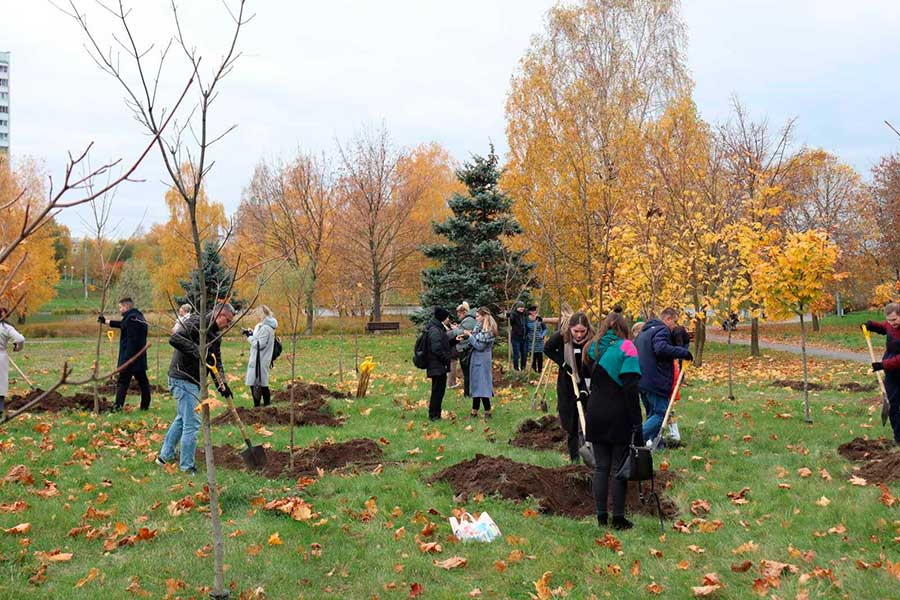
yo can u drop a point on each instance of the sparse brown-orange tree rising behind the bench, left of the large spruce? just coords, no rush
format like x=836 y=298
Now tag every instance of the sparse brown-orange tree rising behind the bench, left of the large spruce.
x=378 y=235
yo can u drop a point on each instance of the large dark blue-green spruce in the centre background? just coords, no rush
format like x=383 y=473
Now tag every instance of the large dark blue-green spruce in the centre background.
x=475 y=264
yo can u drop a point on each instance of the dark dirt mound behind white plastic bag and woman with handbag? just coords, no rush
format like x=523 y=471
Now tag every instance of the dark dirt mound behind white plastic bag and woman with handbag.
x=560 y=491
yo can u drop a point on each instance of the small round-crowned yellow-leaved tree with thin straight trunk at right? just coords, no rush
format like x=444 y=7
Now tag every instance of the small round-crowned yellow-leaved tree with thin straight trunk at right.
x=793 y=276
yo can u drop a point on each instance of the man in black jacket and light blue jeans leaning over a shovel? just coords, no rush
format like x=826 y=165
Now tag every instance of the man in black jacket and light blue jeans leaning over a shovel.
x=184 y=378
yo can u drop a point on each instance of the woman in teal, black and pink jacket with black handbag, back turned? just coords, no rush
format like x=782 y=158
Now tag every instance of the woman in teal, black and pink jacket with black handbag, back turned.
x=613 y=412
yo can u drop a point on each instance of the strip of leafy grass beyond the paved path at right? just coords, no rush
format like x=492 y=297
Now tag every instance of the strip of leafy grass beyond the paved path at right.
x=836 y=332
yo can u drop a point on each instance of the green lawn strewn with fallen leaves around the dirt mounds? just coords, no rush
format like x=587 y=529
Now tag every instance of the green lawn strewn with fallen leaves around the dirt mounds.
x=840 y=536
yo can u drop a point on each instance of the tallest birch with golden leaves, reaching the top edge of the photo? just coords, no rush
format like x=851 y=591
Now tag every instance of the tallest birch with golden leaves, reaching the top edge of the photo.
x=585 y=91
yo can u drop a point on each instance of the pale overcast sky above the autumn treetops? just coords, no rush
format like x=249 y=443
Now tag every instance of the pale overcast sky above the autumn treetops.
x=316 y=72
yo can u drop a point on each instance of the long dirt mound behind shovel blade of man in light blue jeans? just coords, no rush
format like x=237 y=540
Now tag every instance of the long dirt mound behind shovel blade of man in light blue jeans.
x=361 y=452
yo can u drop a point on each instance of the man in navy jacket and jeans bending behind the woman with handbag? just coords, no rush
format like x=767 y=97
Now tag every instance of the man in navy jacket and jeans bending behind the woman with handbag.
x=656 y=355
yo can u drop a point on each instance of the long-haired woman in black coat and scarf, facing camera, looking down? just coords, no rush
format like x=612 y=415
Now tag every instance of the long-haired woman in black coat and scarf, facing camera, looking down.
x=565 y=349
